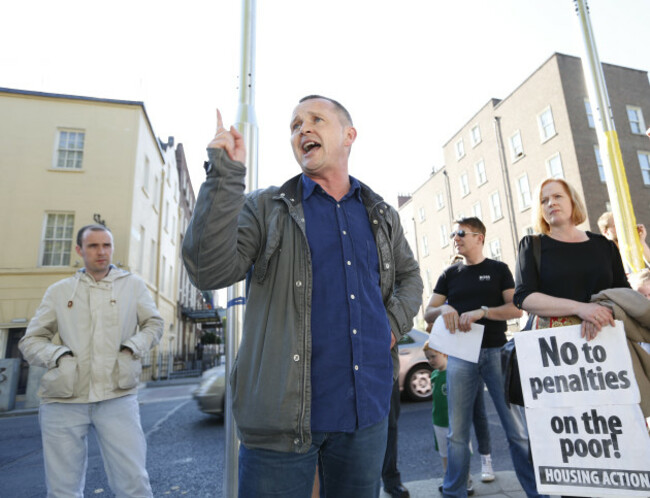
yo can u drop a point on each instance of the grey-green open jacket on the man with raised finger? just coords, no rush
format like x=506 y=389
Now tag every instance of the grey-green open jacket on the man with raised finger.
x=231 y=233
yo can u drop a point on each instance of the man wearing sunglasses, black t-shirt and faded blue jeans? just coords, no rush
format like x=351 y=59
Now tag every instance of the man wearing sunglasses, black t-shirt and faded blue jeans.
x=479 y=290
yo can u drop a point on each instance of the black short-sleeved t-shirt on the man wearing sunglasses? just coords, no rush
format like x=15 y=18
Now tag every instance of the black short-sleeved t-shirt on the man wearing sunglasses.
x=468 y=287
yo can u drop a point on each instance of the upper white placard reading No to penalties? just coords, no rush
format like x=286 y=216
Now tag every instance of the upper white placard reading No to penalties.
x=559 y=368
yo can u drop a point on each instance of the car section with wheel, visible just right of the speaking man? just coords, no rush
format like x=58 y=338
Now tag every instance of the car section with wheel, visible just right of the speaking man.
x=414 y=370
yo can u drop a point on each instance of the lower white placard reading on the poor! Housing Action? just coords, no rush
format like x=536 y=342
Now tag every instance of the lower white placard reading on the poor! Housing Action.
x=590 y=450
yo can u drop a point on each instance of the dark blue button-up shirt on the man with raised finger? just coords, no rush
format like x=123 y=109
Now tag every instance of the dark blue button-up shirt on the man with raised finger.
x=351 y=366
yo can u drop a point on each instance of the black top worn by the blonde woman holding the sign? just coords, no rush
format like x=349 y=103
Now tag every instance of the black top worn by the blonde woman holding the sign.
x=570 y=270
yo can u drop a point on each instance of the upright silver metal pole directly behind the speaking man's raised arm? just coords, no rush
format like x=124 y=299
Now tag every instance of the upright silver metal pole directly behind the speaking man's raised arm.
x=246 y=124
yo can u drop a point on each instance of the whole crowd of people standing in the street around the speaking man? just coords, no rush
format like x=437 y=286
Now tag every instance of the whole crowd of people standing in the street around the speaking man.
x=333 y=286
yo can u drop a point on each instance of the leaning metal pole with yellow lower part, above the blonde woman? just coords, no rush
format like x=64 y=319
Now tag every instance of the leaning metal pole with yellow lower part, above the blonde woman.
x=615 y=177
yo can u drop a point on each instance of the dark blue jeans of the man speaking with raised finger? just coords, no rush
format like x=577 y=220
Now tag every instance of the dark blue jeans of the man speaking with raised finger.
x=349 y=466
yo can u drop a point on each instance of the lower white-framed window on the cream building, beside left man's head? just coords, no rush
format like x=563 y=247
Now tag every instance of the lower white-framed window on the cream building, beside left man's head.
x=57 y=239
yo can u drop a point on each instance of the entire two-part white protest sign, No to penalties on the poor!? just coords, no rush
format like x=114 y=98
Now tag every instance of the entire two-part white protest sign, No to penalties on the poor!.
x=587 y=432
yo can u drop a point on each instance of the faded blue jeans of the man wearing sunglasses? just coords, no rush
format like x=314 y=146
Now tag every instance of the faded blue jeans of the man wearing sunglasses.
x=462 y=380
